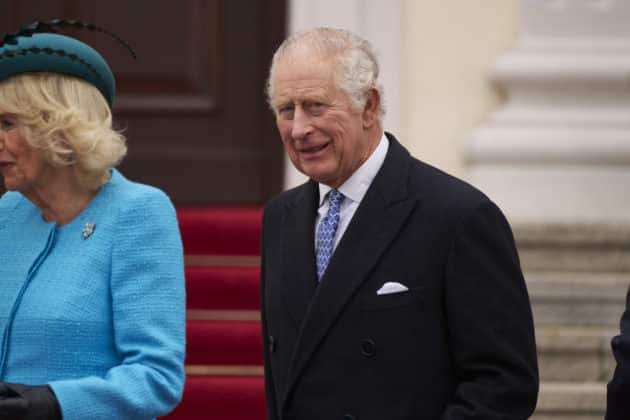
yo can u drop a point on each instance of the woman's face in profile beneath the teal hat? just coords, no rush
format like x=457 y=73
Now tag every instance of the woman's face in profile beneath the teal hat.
x=22 y=166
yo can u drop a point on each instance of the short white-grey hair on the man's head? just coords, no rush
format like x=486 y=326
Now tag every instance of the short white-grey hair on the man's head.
x=356 y=65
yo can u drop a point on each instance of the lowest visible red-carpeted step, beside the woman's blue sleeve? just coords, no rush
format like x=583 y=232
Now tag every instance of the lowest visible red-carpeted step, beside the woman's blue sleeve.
x=221 y=398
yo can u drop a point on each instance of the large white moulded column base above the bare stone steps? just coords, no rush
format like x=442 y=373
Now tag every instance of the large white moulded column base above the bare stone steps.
x=558 y=152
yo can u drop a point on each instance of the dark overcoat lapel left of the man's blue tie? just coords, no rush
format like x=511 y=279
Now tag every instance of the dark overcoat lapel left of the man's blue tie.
x=298 y=252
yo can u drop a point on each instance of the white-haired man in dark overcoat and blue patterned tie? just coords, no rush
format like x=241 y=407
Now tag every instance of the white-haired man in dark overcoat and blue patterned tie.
x=390 y=290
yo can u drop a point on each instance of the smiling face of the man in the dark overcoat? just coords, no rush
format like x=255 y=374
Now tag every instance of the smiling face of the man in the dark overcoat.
x=324 y=138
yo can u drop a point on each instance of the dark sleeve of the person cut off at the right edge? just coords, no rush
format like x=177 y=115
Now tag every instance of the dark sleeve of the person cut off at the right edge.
x=618 y=407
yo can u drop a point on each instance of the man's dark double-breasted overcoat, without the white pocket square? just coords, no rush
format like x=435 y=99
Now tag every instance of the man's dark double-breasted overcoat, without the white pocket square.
x=458 y=345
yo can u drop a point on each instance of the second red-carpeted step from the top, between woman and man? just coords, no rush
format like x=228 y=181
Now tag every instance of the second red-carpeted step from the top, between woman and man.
x=222 y=288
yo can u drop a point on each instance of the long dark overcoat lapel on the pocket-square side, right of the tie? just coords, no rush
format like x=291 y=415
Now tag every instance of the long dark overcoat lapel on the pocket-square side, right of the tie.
x=375 y=224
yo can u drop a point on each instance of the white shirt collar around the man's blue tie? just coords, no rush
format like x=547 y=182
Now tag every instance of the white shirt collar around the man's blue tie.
x=357 y=185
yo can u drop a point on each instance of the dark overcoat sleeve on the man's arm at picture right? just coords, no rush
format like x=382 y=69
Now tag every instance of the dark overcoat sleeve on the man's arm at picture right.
x=490 y=323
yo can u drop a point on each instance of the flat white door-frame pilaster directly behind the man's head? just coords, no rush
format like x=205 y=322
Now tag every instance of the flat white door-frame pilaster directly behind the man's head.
x=378 y=21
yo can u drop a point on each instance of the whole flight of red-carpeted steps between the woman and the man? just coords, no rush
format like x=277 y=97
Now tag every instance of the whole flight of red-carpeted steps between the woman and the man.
x=224 y=347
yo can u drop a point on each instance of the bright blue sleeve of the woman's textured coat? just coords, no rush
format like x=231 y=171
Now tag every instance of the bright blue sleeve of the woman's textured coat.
x=148 y=313
